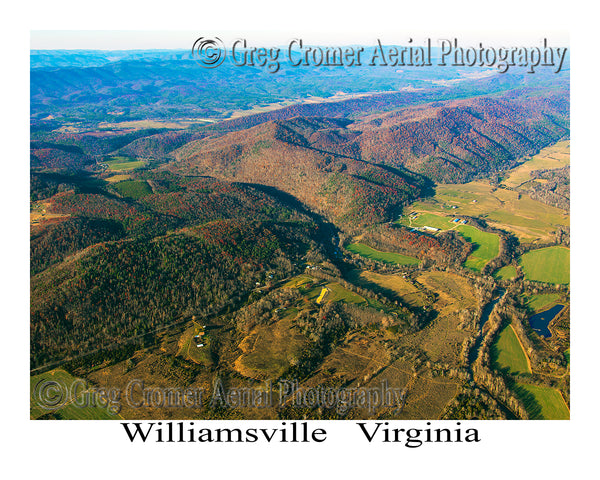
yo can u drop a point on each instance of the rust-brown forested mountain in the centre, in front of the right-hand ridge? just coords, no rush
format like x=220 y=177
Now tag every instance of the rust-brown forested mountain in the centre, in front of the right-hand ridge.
x=346 y=190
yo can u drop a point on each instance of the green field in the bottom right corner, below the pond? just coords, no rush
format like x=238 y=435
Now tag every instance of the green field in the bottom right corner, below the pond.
x=542 y=403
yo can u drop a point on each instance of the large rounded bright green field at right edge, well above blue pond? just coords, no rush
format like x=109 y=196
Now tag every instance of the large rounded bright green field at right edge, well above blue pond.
x=548 y=265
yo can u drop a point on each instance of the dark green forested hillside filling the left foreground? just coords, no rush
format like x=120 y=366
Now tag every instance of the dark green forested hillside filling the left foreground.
x=114 y=268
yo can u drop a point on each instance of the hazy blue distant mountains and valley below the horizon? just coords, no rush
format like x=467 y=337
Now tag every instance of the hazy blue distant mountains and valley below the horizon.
x=92 y=86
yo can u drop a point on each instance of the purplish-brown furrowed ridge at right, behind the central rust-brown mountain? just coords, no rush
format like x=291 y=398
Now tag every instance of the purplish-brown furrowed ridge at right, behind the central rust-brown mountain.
x=456 y=141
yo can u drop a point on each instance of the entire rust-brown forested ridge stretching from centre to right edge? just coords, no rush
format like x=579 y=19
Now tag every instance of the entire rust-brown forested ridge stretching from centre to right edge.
x=359 y=172
